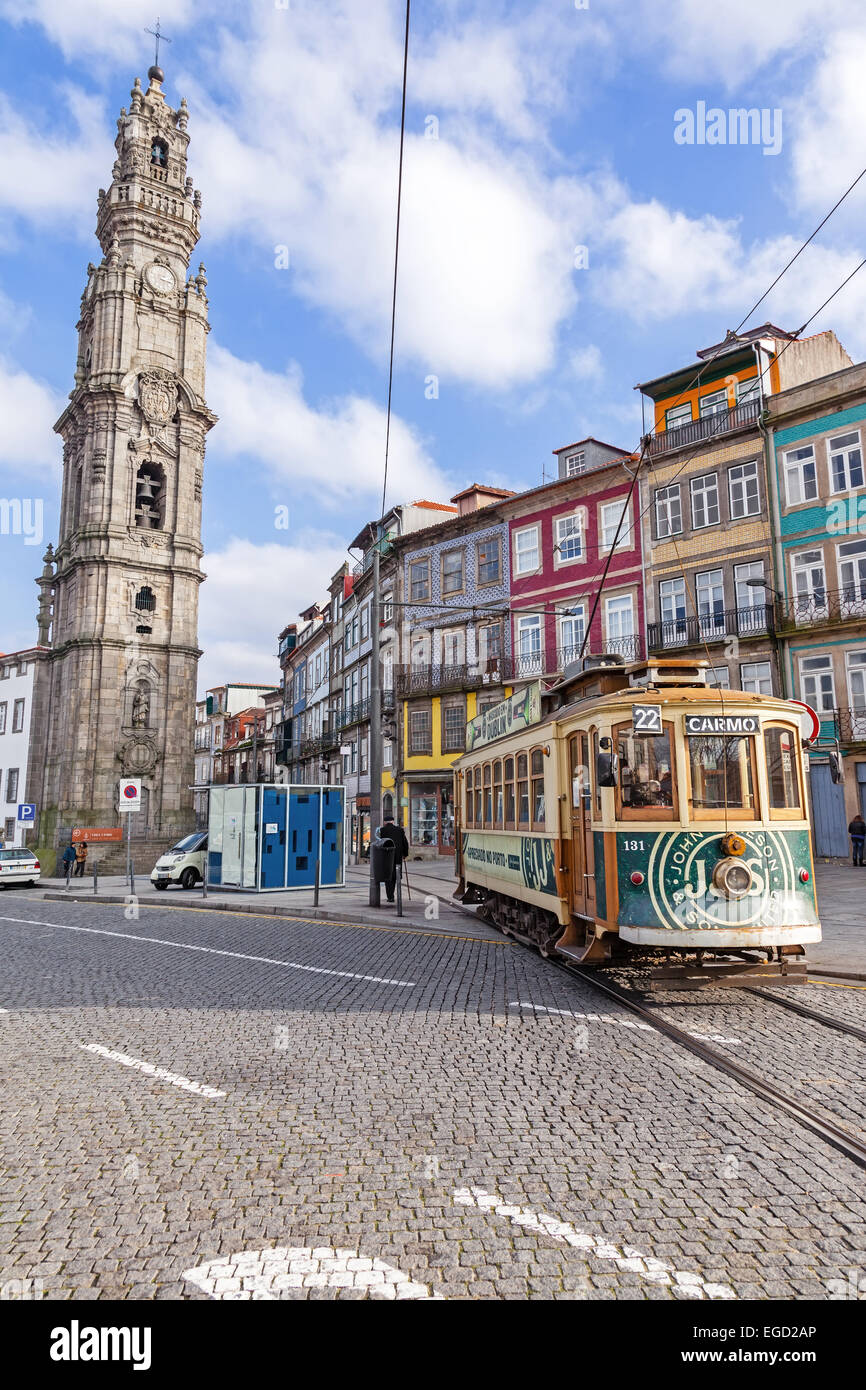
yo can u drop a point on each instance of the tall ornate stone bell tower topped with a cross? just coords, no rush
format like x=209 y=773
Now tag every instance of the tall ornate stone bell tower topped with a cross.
x=120 y=594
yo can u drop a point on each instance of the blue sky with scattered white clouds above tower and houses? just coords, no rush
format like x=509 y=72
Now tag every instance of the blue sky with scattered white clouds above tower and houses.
x=559 y=244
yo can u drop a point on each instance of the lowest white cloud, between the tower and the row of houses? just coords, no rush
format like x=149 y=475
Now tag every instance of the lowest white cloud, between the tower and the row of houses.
x=251 y=593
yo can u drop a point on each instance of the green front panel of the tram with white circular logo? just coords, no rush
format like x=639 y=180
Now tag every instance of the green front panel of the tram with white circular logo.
x=682 y=890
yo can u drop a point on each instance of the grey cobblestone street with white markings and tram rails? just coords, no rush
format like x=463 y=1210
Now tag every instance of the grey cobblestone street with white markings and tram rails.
x=202 y=1104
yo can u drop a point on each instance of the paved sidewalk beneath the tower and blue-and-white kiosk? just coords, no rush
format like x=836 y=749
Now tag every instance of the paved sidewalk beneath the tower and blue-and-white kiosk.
x=430 y=907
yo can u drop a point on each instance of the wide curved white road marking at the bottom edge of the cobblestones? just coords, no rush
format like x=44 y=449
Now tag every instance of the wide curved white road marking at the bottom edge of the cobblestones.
x=265 y=1274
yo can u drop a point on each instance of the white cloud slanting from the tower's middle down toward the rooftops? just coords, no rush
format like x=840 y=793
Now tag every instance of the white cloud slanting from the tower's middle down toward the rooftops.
x=334 y=454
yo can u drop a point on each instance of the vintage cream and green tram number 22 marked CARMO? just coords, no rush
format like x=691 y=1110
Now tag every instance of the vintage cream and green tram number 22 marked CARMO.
x=640 y=812
